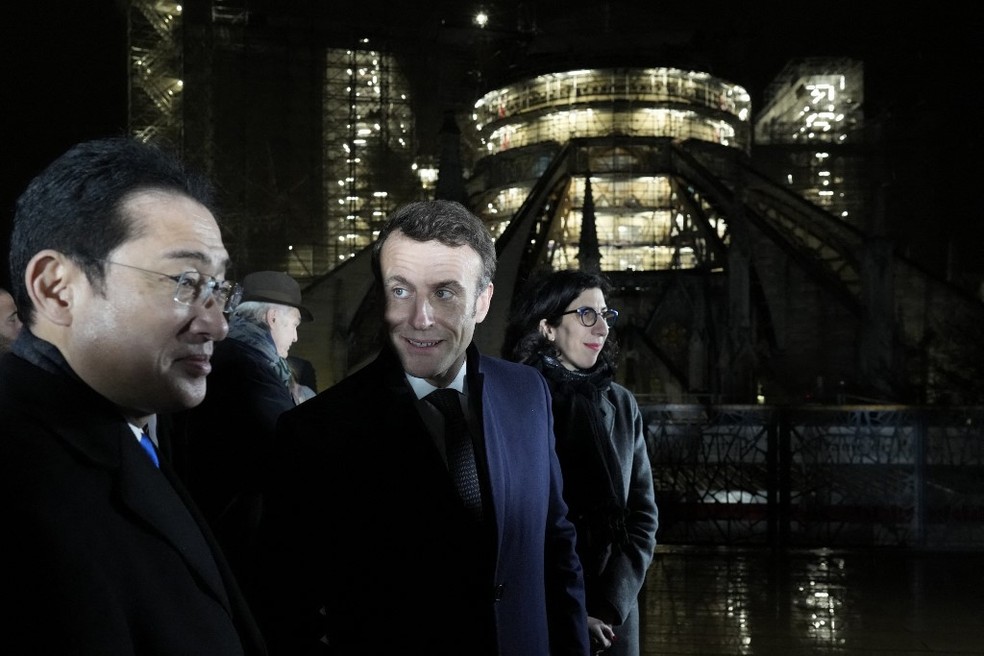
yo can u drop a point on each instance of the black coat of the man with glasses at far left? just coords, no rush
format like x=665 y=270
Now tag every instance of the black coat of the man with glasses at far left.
x=102 y=553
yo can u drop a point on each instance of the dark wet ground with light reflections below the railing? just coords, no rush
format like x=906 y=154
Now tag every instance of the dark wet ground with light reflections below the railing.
x=762 y=602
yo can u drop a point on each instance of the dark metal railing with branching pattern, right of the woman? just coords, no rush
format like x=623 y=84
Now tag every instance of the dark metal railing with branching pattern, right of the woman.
x=814 y=476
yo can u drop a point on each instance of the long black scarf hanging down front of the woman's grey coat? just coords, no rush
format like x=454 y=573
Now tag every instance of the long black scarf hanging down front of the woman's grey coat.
x=592 y=474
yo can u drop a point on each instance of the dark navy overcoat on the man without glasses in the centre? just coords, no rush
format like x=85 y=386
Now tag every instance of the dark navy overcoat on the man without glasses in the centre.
x=364 y=521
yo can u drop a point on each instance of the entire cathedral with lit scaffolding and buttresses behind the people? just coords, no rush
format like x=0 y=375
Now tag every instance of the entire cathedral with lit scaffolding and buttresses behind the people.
x=746 y=252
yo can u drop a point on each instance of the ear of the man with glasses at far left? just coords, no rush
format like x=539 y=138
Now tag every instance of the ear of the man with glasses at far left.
x=52 y=278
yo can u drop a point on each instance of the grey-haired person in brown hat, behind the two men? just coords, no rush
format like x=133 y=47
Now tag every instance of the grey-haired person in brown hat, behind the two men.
x=228 y=436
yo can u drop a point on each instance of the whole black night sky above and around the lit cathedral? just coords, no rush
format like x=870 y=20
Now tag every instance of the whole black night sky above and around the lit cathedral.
x=65 y=72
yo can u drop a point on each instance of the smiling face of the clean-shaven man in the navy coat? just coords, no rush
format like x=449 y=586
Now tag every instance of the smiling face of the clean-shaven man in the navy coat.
x=431 y=304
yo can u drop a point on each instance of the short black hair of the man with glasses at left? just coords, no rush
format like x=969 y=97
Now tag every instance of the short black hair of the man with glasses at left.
x=74 y=206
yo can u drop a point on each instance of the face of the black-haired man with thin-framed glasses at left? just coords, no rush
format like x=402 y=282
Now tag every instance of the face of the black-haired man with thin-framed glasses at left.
x=130 y=340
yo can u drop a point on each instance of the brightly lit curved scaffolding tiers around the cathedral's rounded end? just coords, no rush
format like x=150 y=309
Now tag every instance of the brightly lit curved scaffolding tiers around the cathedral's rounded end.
x=641 y=223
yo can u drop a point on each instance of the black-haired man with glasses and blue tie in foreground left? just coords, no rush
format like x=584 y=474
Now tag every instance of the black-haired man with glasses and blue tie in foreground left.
x=118 y=270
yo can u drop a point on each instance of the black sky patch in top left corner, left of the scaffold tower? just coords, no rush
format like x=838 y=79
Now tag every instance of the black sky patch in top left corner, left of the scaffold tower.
x=64 y=67
